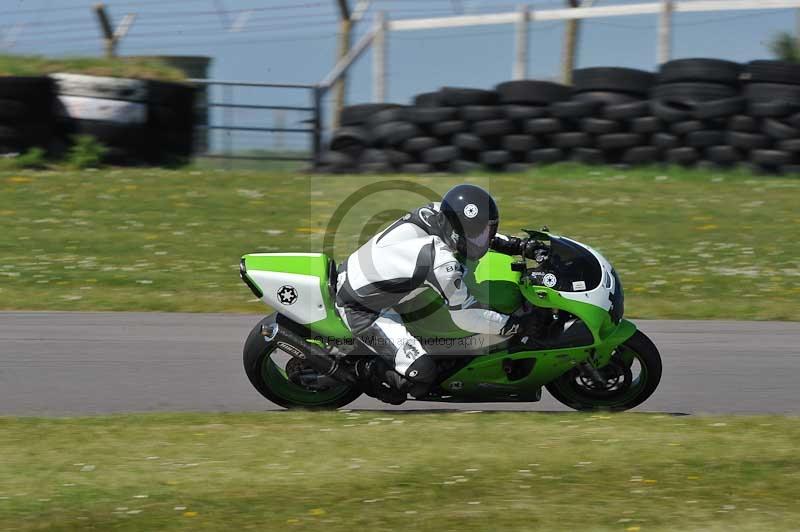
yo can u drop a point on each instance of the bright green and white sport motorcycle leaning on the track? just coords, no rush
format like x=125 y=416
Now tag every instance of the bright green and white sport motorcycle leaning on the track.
x=588 y=358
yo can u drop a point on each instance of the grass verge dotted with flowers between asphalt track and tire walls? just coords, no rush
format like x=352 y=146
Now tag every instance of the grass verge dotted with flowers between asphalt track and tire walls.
x=687 y=244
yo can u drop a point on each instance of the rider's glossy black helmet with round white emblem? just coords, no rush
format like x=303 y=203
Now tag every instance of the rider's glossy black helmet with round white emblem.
x=470 y=220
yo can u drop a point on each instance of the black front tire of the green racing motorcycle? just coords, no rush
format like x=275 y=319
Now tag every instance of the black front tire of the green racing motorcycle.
x=567 y=391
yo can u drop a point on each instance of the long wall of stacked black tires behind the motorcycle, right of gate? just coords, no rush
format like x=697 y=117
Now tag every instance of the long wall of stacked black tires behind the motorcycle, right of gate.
x=705 y=112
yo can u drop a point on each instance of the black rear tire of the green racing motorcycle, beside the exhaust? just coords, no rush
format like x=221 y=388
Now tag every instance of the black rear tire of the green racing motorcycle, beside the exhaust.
x=257 y=353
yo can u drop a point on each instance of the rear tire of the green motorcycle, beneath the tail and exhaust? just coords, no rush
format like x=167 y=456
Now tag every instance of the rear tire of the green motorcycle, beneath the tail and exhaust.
x=263 y=364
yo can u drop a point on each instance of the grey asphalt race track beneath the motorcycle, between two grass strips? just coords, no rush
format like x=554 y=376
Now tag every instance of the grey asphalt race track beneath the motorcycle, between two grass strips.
x=90 y=363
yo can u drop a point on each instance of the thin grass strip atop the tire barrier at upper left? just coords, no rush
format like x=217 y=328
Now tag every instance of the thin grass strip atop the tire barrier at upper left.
x=126 y=67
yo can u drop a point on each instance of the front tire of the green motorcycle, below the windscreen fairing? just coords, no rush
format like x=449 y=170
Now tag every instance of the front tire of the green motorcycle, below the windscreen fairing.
x=635 y=381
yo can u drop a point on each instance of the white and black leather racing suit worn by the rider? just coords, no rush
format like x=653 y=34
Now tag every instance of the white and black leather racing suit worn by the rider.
x=396 y=265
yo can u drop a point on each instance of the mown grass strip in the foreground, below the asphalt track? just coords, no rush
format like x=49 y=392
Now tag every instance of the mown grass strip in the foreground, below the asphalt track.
x=400 y=471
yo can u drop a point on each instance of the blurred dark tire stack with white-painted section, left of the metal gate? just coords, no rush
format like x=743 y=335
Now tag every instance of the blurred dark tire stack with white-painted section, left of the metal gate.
x=139 y=121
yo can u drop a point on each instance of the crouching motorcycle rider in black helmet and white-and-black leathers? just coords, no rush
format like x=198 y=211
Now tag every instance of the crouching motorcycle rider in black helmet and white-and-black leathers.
x=426 y=248
